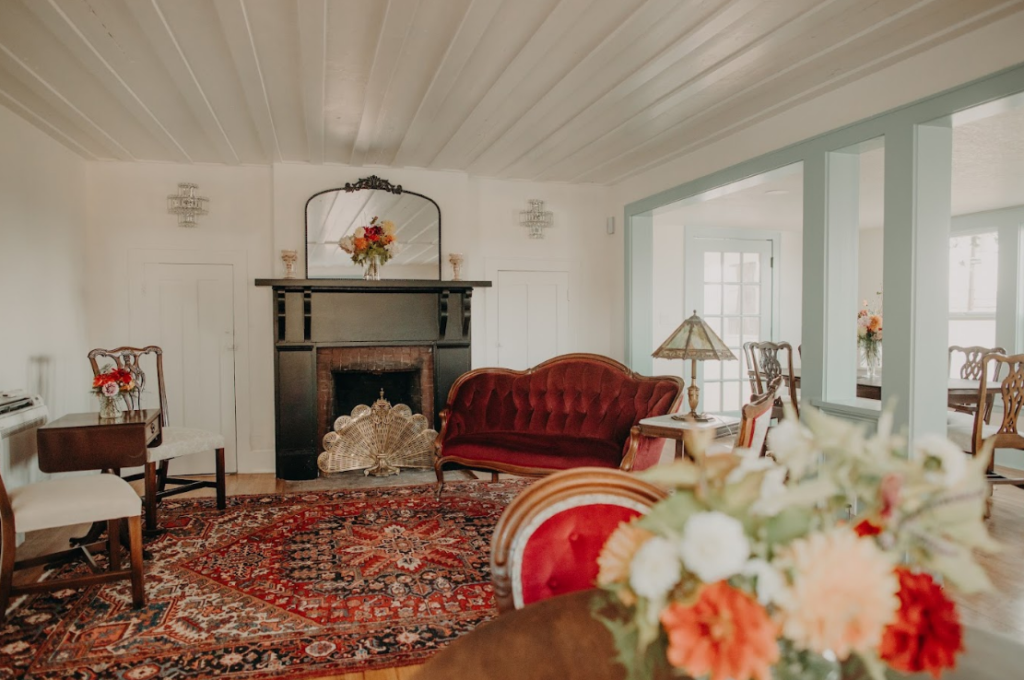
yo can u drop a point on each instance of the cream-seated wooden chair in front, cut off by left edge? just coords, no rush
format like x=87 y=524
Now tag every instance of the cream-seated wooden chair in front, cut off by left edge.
x=66 y=502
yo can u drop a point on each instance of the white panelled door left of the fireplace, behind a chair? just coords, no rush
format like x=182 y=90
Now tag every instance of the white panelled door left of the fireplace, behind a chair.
x=188 y=311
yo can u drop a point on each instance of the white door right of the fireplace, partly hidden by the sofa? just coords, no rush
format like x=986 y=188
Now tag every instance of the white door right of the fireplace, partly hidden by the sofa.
x=533 y=317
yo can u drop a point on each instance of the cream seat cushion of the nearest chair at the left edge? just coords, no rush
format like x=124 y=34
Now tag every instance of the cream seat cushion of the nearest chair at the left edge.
x=71 y=501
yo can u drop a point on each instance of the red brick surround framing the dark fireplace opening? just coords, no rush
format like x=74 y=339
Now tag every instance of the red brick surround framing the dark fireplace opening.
x=373 y=360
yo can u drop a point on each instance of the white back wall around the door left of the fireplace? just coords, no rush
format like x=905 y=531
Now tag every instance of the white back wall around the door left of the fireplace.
x=129 y=222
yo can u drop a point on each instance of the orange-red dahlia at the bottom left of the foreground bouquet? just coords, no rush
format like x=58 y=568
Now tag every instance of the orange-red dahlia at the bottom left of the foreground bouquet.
x=726 y=634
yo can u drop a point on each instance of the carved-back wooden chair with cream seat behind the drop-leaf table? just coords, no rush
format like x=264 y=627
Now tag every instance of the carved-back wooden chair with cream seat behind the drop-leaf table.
x=178 y=442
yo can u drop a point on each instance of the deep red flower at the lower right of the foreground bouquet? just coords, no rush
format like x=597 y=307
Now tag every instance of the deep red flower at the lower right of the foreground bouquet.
x=927 y=634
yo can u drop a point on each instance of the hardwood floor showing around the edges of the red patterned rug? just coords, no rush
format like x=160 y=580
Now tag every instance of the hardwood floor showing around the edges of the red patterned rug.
x=1001 y=611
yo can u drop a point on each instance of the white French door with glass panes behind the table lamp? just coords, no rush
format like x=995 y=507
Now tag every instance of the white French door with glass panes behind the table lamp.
x=730 y=284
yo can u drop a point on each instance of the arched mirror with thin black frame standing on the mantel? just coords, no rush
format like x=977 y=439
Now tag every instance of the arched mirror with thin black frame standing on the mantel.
x=334 y=215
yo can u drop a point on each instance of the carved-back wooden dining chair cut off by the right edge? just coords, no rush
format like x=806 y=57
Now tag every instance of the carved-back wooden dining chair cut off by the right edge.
x=972 y=433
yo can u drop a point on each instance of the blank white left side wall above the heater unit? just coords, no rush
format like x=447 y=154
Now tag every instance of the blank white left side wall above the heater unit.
x=42 y=269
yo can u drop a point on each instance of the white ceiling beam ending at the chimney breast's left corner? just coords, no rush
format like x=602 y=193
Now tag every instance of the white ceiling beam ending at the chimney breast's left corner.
x=238 y=33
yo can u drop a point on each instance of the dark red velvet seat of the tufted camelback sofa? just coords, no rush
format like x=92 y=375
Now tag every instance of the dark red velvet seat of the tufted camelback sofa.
x=526 y=450
